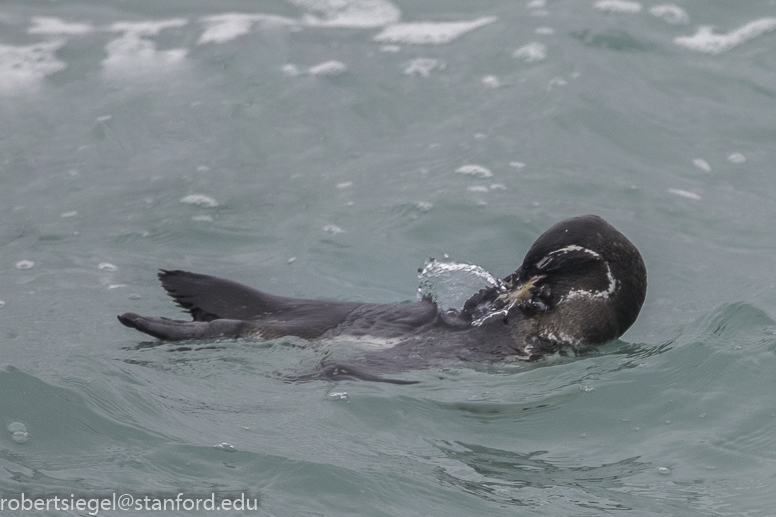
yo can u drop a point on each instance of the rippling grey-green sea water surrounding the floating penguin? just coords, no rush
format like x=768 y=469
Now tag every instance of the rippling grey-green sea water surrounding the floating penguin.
x=327 y=149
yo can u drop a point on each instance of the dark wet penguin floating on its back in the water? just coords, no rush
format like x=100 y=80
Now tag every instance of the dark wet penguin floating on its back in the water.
x=581 y=283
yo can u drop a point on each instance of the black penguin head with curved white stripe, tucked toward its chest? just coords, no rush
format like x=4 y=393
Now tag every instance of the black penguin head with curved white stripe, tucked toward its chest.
x=581 y=283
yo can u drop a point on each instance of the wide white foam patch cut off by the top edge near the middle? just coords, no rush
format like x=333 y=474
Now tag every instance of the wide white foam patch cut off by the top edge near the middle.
x=355 y=14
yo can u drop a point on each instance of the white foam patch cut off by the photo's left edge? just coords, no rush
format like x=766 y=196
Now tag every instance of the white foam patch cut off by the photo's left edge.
x=23 y=68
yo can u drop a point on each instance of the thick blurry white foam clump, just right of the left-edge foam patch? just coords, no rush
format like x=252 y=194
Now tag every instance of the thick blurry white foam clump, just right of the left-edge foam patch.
x=133 y=55
